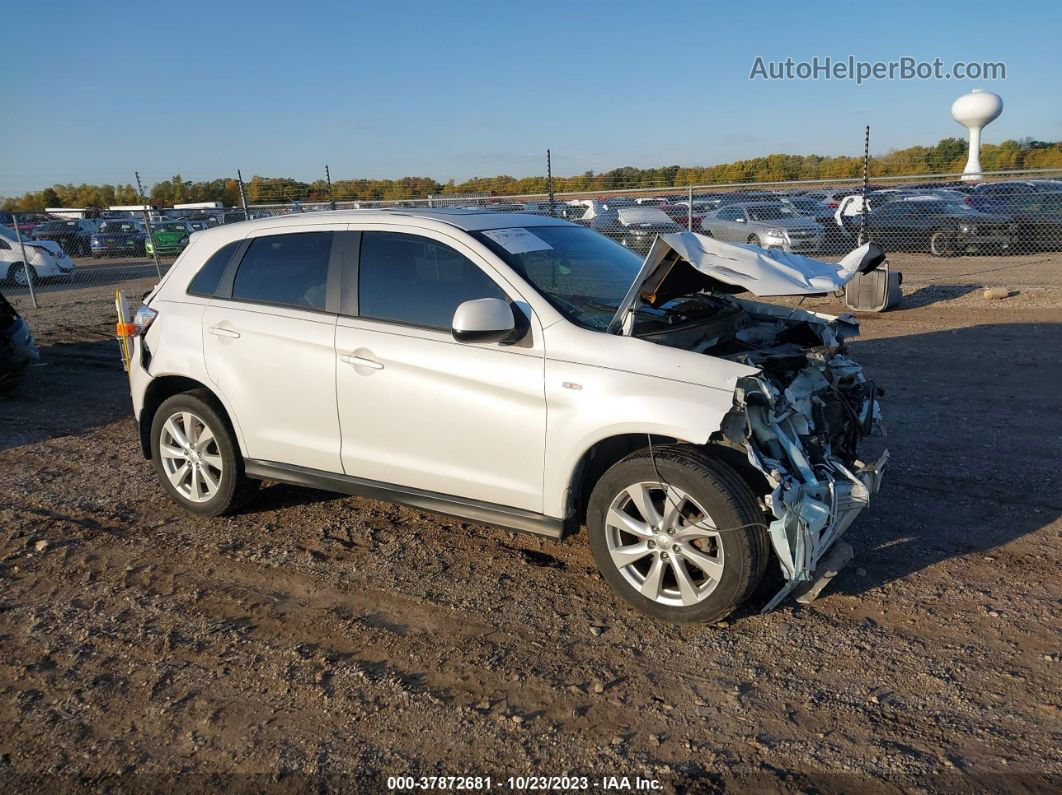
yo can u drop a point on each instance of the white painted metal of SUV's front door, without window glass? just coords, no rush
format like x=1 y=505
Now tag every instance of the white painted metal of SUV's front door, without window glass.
x=467 y=420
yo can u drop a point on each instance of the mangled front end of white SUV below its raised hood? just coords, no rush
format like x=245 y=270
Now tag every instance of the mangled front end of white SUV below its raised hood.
x=801 y=420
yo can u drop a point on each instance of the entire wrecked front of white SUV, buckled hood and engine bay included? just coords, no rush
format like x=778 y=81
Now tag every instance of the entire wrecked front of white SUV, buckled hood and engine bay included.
x=801 y=417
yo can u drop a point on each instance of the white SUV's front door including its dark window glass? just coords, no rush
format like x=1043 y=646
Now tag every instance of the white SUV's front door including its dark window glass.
x=420 y=410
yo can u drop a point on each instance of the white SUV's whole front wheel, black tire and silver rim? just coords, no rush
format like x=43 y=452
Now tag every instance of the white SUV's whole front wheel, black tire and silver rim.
x=681 y=538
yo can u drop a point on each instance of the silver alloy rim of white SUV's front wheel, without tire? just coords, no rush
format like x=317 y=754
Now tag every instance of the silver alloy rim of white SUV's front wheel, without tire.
x=664 y=544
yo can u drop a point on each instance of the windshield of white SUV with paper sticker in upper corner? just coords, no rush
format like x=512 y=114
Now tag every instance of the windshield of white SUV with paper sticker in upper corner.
x=584 y=274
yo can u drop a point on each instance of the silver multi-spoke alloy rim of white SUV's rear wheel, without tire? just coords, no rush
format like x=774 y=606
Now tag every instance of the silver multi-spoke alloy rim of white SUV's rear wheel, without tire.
x=191 y=457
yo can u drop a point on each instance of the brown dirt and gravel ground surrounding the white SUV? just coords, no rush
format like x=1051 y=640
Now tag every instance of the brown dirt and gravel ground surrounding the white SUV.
x=318 y=641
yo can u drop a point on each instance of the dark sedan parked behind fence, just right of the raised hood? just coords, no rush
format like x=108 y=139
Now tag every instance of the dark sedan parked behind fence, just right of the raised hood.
x=941 y=228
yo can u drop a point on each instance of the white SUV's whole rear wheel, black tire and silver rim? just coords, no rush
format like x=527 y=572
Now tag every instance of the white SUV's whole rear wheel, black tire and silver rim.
x=197 y=457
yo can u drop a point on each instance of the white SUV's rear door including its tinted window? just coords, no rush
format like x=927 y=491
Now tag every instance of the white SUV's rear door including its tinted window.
x=269 y=341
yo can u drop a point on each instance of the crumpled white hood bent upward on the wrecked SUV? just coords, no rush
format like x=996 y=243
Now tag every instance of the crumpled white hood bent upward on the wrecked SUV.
x=683 y=263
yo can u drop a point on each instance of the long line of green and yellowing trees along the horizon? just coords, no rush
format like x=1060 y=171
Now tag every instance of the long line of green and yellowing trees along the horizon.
x=947 y=157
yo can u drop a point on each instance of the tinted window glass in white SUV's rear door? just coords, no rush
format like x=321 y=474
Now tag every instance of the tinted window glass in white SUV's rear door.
x=288 y=270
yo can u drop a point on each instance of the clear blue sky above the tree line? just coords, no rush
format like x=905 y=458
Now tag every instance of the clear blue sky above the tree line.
x=459 y=90
